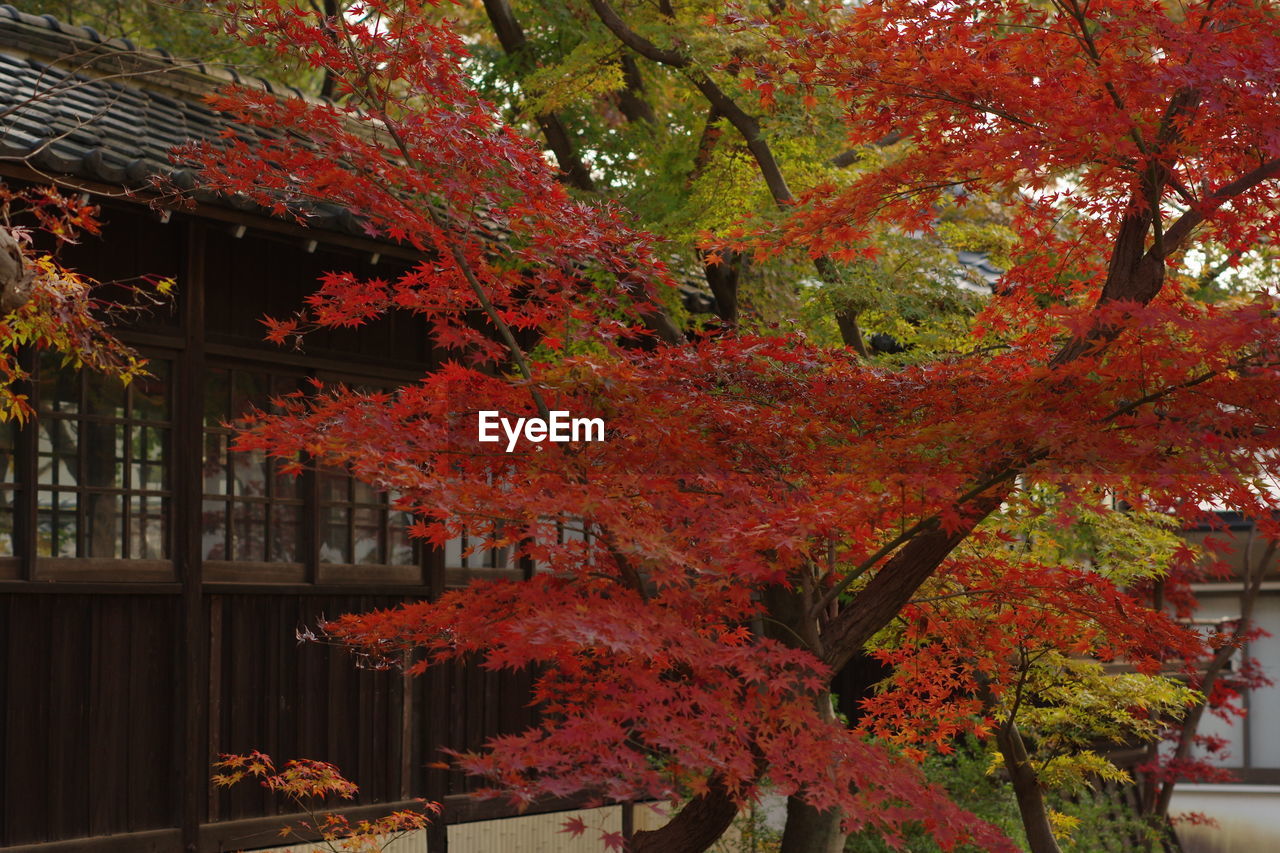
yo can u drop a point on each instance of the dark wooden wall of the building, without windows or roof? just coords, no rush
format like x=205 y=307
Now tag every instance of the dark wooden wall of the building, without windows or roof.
x=120 y=686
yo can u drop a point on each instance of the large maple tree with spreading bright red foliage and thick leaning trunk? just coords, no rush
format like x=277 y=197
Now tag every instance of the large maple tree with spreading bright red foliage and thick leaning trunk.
x=764 y=507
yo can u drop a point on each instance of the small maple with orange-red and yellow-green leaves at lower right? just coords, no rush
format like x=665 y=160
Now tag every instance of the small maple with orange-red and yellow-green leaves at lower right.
x=984 y=622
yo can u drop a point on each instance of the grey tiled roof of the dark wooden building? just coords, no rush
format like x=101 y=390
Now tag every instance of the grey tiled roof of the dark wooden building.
x=76 y=104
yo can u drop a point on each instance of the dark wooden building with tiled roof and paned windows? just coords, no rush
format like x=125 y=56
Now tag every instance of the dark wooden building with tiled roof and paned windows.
x=154 y=583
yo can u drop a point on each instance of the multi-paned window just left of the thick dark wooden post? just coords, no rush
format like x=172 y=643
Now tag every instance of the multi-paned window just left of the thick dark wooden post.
x=103 y=464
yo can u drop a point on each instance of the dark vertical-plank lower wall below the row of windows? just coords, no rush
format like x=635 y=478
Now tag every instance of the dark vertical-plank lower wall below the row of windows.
x=92 y=733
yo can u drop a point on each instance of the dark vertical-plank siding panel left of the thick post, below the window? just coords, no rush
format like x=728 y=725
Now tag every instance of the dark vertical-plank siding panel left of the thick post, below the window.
x=74 y=764
